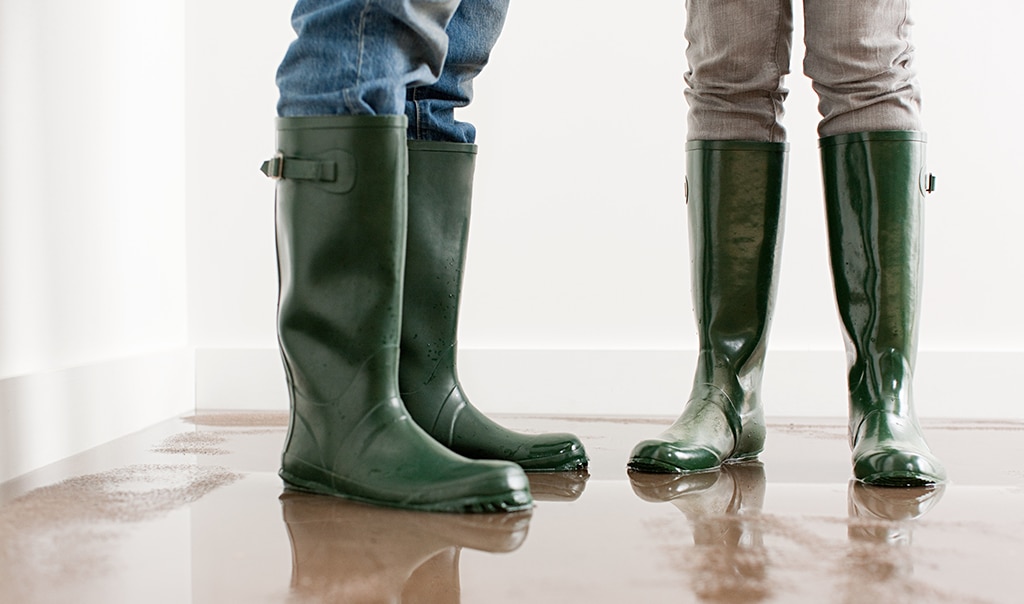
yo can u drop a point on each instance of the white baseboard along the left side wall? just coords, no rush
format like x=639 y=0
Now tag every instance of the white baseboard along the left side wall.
x=51 y=416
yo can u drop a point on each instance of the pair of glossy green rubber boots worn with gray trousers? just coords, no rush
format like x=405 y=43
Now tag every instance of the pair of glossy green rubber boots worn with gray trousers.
x=875 y=186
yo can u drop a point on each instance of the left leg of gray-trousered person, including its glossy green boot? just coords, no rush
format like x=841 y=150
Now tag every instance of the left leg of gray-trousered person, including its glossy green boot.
x=737 y=165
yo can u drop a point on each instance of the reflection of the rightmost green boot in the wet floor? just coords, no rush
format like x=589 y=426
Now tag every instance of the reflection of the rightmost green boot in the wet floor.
x=881 y=530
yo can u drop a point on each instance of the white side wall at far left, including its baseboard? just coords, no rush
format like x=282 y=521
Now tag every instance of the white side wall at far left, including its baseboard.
x=93 y=249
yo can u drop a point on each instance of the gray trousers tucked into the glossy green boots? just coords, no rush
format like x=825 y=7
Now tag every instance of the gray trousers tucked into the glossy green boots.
x=860 y=59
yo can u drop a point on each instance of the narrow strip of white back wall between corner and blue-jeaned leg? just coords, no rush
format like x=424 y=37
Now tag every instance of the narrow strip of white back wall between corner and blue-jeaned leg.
x=232 y=52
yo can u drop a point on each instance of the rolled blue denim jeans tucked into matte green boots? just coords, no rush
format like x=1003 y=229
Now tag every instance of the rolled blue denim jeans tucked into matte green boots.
x=417 y=58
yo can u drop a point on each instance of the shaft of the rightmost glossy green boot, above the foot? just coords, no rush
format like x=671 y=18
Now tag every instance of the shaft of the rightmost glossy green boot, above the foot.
x=875 y=184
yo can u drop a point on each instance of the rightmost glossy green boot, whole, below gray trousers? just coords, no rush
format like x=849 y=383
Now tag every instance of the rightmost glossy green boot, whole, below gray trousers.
x=875 y=186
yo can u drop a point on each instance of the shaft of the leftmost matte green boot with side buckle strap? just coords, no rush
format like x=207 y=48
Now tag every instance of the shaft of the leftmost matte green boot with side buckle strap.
x=342 y=221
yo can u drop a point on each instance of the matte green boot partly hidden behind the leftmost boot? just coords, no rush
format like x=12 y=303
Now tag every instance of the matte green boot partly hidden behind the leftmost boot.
x=441 y=183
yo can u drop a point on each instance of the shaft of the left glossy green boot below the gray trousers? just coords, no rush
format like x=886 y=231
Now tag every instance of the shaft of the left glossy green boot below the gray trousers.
x=736 y=204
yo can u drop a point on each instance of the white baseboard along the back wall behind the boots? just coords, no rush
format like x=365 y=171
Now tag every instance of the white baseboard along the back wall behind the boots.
x=805 y=384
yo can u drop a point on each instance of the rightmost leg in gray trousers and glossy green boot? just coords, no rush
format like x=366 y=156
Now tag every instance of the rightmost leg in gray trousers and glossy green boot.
x=873 y=156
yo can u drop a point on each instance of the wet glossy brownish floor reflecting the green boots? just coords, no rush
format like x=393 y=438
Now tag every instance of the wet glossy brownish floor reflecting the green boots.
x=192 y=511
